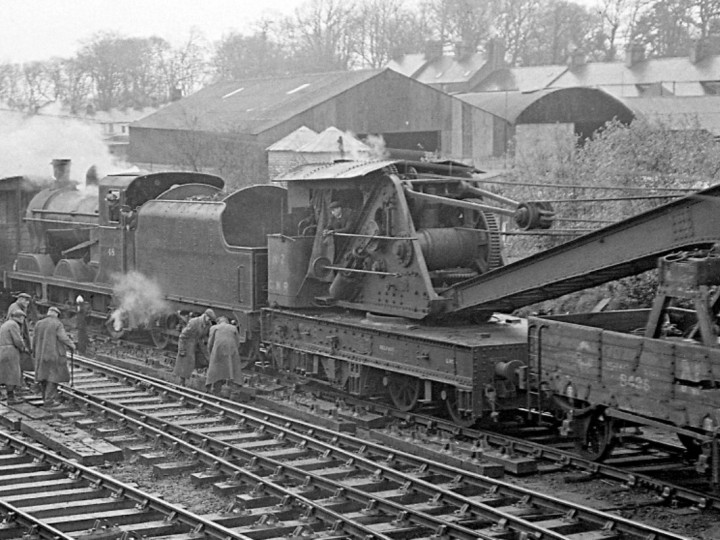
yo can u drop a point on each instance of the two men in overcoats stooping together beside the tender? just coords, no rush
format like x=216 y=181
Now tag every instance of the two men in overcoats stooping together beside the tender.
x=223 y=341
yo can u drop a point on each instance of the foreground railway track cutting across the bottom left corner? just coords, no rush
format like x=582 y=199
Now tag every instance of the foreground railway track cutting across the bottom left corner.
x=44 y=495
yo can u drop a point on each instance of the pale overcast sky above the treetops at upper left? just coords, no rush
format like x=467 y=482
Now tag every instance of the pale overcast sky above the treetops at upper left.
x=40 y=29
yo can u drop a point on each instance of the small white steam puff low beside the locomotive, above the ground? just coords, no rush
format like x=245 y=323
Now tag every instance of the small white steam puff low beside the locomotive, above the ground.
x=140 y=298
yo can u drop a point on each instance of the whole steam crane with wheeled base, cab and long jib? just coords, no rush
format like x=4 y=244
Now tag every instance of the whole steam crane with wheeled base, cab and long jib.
x=407 y=297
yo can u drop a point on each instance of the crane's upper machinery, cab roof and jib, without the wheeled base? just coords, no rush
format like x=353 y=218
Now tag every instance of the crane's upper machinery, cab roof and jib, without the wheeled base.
x=425 y=245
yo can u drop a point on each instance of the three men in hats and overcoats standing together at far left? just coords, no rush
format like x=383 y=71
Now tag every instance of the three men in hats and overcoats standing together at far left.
x=45 y=354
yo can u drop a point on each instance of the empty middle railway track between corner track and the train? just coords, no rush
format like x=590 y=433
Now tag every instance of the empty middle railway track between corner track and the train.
x=338 y=482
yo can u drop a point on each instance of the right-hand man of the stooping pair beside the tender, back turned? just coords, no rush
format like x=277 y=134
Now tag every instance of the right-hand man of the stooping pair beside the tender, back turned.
x=223 y=344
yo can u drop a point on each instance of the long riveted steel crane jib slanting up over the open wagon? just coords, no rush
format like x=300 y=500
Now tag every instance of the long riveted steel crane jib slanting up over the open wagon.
x=625 y=248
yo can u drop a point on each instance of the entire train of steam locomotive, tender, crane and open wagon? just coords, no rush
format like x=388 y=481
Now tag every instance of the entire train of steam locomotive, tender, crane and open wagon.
x=406 y=302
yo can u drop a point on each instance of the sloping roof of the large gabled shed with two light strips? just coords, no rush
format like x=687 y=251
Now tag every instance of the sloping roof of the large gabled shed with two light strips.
x=253 y=105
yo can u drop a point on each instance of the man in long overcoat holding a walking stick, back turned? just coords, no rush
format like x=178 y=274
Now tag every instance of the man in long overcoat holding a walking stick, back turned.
x=50 y=343
